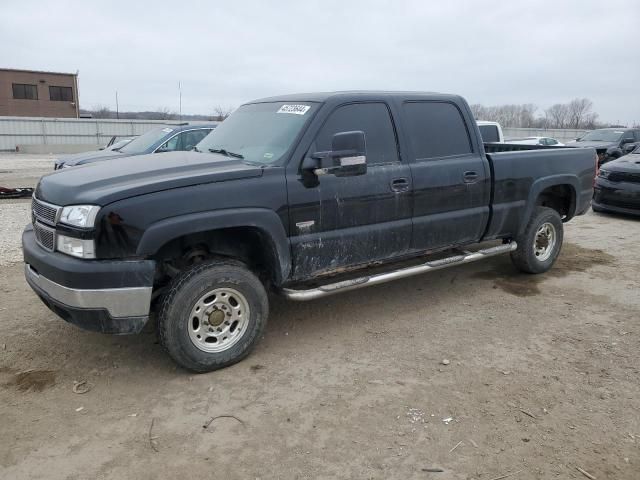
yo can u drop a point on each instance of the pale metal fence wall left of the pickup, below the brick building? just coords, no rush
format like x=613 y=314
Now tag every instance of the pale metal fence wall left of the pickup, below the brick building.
x=16 y=131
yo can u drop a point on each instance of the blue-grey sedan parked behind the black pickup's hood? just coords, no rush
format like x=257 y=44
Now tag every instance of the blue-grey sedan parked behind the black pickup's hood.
x=169 y=138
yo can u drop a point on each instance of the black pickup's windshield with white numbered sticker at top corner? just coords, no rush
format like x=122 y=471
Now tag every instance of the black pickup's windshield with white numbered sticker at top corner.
x=259 y=132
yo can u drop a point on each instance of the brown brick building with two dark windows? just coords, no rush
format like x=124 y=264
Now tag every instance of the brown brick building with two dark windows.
x=30 y=93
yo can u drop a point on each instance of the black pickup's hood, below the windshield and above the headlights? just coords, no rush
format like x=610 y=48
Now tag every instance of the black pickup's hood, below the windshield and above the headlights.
x=104 y=182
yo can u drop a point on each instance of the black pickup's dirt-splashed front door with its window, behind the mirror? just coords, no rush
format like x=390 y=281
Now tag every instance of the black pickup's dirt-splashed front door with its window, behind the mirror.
x=341 y=222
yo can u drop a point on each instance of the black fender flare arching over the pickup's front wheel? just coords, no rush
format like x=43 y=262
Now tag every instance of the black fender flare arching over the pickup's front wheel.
x=268 y=221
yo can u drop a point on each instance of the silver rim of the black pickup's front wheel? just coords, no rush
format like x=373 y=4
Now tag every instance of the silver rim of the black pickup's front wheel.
x=218 y=320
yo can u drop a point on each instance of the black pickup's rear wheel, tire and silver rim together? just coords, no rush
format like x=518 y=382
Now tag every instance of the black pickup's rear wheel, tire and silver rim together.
x=540 y=243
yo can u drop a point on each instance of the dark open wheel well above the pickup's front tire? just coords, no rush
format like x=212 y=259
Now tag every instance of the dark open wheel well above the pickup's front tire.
x=250 y=245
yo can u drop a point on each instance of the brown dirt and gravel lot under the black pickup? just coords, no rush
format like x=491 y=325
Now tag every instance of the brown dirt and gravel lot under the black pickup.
x=542 y=379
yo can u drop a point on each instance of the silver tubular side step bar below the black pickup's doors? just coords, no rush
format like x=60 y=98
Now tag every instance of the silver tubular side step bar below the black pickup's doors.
x=346 y=285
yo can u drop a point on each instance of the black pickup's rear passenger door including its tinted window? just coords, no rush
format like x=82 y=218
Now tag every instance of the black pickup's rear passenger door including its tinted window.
x=451 y=178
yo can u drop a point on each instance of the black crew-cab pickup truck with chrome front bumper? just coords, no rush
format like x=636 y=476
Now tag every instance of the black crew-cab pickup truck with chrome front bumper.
x=302 y=195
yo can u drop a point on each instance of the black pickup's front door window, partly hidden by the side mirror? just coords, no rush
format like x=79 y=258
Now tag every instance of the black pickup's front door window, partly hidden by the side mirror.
x=371 y=118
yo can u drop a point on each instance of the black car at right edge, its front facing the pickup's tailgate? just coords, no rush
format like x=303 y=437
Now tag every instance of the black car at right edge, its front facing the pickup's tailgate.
x=617 y=187
